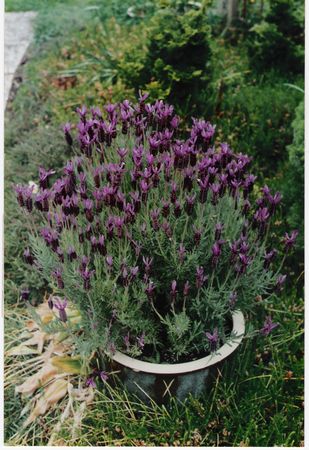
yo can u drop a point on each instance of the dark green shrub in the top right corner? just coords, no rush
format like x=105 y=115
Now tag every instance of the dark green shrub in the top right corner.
x=278 y=41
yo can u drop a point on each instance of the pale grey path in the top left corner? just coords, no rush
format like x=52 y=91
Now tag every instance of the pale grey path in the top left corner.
x=17 y=36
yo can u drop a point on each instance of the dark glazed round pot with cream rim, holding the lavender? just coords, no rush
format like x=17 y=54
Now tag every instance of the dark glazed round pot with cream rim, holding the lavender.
x=150 y=381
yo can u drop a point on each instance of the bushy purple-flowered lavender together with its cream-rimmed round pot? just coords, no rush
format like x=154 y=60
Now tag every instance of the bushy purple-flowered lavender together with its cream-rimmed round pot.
x=157 y=241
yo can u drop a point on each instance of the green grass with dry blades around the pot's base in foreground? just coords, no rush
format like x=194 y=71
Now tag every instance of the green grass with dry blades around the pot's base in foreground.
x=257 y=400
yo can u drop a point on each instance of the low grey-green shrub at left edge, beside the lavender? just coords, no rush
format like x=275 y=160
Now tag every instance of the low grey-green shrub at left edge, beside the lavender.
x=22 y=162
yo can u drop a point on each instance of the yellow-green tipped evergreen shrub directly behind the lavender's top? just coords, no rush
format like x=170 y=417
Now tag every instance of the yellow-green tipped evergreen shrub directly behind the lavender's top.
x=176 y=64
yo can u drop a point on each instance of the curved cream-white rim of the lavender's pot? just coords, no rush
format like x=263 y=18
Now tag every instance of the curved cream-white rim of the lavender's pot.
x=192 y=366
